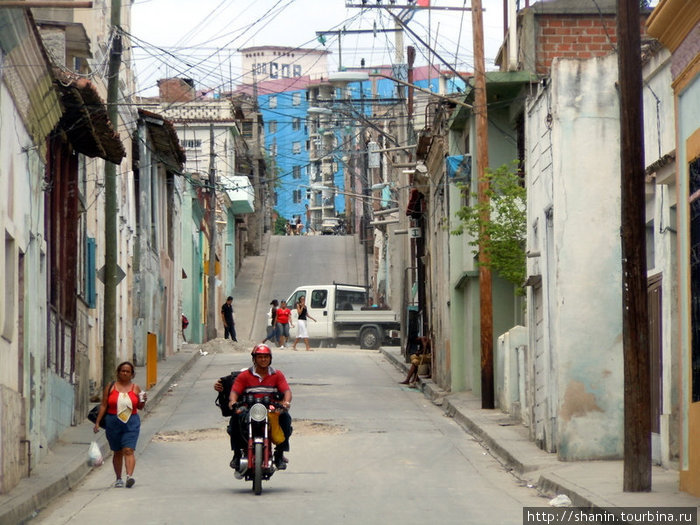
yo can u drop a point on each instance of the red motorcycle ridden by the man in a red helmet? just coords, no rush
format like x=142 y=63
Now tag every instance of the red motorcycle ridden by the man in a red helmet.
x=257 y=463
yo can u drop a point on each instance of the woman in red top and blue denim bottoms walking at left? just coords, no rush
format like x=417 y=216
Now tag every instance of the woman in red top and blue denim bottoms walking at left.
x=121 y=402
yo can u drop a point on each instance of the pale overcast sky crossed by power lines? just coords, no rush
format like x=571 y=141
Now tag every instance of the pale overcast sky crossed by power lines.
x=199 y=39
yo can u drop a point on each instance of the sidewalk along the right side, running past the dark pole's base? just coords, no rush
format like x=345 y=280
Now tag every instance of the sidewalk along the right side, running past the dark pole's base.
x=591 y=484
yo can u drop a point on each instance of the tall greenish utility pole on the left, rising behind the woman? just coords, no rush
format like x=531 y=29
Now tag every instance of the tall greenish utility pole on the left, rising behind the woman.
x=109 y=324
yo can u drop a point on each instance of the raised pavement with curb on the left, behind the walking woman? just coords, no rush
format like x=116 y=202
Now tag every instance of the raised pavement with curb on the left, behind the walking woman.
x=69 y=457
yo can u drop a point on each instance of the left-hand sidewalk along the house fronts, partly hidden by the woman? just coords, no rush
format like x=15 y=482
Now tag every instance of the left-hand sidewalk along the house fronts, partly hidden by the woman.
x=66 y=464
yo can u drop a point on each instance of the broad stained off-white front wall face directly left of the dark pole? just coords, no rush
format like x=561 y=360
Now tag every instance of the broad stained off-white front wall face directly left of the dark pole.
x=586 y=290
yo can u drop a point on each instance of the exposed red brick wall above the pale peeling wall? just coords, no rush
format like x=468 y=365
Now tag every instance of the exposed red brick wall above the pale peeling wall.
x=584 y=36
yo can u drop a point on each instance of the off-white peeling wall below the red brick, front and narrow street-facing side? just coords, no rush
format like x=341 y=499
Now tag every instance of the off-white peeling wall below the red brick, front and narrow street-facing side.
x=574 y=241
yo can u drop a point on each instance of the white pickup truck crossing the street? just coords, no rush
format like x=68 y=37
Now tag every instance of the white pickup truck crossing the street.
x=342 y=312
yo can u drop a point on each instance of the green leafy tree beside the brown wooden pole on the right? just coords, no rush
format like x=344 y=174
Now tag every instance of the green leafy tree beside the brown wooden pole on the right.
x=504 y=234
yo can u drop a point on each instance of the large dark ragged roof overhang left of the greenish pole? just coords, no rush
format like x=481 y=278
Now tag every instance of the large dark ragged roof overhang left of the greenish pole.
x=85 y=119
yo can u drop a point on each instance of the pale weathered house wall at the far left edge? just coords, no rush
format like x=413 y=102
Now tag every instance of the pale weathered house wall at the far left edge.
x=23 y=349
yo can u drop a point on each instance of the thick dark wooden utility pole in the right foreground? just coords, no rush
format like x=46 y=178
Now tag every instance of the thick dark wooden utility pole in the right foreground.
x=635 y=334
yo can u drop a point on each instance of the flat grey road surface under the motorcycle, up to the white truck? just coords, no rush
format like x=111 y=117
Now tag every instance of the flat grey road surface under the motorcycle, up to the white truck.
x=365 y=450
